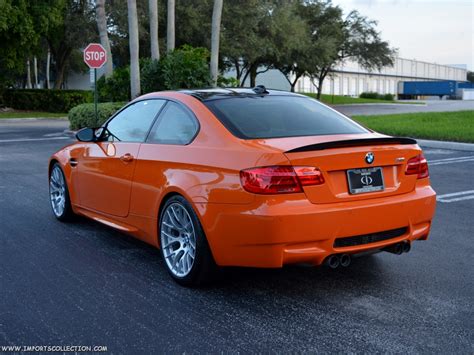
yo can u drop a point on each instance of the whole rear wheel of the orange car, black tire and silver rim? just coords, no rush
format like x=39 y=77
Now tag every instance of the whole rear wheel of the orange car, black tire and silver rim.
x=183 y=244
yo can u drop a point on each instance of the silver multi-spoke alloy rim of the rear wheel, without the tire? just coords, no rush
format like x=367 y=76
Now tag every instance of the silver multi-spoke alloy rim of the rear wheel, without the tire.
x=178 y=239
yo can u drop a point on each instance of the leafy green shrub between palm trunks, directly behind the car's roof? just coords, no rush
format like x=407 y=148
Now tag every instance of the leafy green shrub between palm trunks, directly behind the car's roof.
x=183 y=68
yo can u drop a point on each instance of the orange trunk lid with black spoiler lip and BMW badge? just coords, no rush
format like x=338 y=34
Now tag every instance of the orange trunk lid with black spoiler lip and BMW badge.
x=334 y=159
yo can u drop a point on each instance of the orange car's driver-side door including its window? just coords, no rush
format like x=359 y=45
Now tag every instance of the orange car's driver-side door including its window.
x=105 y=171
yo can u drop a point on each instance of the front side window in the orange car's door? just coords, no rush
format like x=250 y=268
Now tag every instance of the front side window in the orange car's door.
x=133 y=123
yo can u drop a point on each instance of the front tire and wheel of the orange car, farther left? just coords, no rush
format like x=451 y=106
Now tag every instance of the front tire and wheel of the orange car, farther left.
x=59 y=195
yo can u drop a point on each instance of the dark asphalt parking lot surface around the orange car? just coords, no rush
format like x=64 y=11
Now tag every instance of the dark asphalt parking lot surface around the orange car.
x=86 y=284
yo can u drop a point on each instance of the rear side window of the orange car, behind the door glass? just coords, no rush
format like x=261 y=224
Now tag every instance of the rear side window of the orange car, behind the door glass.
x=174 y=126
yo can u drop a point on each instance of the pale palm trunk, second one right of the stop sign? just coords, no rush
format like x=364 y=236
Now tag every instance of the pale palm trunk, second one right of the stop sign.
x=133 y=43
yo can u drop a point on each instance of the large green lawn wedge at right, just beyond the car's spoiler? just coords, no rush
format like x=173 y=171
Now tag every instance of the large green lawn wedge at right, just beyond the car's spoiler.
x=455 y=126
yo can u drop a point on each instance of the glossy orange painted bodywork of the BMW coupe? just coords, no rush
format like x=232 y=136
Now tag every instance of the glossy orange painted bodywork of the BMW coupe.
x=124 y=184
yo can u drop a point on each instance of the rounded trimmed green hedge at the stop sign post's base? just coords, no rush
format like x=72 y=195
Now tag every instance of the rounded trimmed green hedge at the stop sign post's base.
x=84 y=115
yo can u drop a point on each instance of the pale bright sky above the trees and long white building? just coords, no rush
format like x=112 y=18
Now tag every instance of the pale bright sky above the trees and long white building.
x=439 y=31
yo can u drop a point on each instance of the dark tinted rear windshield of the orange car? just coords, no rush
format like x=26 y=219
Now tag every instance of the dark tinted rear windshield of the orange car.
x=249 y=117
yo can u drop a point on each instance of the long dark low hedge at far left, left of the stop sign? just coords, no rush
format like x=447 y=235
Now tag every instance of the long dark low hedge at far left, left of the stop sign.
x=44 y=99
